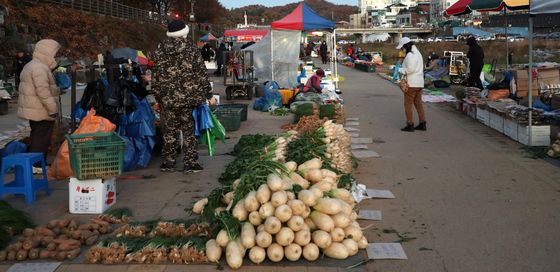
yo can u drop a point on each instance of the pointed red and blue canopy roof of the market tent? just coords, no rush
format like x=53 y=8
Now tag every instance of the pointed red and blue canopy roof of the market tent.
x=303 y=18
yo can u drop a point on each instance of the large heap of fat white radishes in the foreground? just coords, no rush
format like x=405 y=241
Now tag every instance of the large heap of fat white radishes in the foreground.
x=279 y=225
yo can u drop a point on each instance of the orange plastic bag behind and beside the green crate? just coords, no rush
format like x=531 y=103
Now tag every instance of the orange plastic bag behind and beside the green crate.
x=60 y=169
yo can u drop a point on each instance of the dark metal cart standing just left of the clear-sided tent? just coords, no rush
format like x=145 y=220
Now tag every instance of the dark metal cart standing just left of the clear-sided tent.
x=239 y=74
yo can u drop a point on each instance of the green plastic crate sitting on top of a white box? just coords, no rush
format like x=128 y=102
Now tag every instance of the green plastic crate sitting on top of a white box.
x=96 y=155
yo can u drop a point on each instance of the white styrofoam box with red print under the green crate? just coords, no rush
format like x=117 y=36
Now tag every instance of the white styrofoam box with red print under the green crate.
x=93 y=196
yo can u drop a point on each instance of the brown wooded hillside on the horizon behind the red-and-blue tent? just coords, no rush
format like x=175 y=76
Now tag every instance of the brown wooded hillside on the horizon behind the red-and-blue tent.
x=256 y=13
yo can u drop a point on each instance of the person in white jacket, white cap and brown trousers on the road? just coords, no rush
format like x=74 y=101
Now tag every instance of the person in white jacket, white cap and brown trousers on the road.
x=413 y=69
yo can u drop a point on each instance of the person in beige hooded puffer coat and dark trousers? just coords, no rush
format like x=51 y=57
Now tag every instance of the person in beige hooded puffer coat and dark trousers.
x=37 y=92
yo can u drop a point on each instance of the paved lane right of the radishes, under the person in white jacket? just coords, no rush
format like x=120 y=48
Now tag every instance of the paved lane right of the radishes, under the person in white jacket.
x=470 y=197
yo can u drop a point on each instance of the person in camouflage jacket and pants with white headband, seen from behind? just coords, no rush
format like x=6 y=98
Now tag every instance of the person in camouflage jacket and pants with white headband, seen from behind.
x=180 y=84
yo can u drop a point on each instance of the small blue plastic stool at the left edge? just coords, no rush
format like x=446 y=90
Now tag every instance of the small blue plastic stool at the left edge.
x=24 y=182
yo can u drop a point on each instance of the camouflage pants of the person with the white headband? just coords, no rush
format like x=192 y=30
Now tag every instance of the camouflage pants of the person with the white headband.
x=177 y=121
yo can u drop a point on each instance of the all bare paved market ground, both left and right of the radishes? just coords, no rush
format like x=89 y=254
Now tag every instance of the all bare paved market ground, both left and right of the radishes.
x=467 y=198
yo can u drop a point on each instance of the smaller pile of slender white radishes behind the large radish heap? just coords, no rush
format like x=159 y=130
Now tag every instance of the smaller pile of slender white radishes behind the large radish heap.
x=339 y=150
